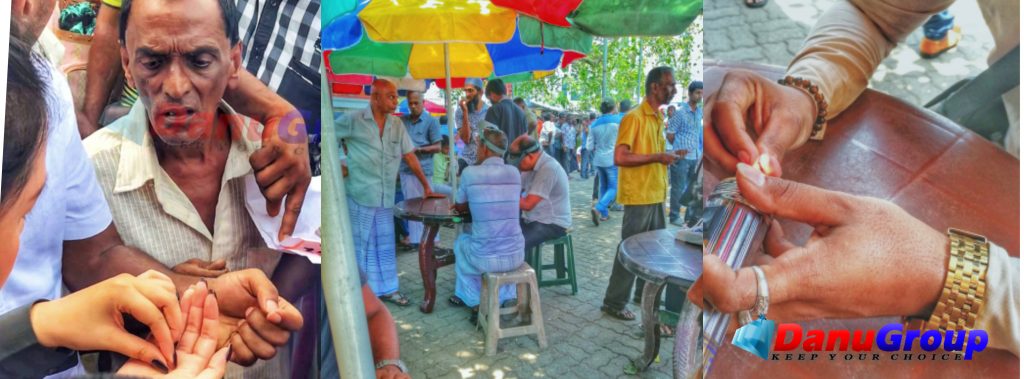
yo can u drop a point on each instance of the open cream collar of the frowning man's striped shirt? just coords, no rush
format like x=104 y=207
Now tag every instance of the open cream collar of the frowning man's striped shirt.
x=139 y=162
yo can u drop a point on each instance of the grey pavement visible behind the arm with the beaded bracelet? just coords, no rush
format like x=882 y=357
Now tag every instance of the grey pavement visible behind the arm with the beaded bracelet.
x=776 y=33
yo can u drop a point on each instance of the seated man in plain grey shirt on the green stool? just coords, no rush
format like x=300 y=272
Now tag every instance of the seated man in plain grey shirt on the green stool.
x=547 y=210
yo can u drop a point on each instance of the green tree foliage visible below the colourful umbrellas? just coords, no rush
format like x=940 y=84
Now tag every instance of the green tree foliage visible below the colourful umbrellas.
x=579 y=87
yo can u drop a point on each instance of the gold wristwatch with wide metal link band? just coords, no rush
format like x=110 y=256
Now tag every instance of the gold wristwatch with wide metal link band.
x=964 y=290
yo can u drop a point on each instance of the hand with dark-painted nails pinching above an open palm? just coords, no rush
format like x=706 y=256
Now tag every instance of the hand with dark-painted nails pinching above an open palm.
x=93 y=319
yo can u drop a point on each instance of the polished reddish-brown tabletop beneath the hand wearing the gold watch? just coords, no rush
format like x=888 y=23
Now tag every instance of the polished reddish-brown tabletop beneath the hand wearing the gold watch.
x=937 y=172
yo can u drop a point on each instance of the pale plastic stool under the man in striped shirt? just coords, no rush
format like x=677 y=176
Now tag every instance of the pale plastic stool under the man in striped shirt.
x=528 y=306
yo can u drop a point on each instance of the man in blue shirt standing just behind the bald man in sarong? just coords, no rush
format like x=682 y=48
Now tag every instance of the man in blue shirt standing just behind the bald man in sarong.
x=426 y=135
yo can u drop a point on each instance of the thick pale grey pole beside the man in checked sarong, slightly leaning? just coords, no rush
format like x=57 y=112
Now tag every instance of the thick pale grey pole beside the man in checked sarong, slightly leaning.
x=339 y=273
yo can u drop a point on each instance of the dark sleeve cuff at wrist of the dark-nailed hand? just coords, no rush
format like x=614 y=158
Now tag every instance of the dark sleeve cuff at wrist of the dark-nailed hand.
x=21 y=354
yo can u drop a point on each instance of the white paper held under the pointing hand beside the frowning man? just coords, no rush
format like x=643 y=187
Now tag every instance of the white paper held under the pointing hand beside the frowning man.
x=306 y=241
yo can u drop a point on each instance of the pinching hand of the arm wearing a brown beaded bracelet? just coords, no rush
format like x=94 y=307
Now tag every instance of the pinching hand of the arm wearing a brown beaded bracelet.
x=751 y=116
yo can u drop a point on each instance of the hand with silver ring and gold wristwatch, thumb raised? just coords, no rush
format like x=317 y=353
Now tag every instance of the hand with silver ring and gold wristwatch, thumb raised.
x=867 y=258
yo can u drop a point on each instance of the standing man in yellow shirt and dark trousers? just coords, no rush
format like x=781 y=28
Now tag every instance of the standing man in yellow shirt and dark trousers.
x=644 y=180
